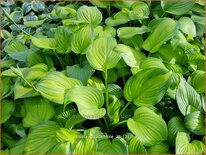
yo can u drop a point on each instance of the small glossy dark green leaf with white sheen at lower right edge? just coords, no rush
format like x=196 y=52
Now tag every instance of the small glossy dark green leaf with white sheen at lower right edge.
x=194 y=122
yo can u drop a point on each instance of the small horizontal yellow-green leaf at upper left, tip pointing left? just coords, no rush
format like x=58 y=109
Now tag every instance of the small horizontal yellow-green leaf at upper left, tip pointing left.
x=43 y=42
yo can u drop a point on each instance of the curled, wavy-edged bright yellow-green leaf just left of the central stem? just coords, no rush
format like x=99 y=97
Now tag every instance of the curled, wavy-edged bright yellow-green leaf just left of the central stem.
x=89 y=101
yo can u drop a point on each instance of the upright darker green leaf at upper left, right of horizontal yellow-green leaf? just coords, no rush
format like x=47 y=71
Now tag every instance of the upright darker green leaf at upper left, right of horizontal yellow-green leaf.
x=63 y=39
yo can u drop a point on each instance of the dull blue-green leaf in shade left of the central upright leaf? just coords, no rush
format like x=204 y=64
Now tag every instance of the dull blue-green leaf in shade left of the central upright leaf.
x=82 y=74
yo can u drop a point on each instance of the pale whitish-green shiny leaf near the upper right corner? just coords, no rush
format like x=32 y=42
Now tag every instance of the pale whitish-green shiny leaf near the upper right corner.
x=187 y=26
